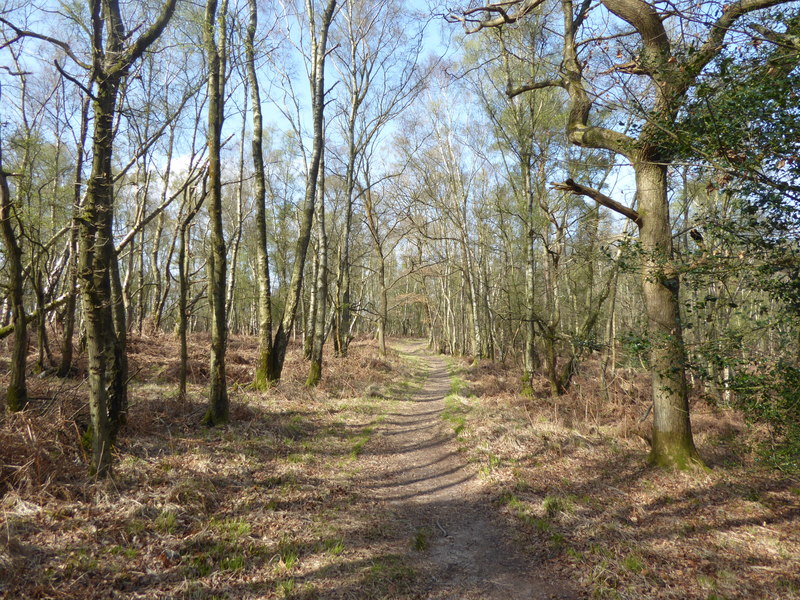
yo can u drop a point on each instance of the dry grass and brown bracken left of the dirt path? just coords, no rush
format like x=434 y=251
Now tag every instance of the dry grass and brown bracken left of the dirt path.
x=260 y=508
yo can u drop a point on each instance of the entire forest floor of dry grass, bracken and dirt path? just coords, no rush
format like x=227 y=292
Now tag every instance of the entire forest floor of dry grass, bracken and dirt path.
x=410 y=477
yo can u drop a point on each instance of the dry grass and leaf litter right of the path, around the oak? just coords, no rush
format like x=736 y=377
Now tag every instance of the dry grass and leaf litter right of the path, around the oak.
x=570 y=473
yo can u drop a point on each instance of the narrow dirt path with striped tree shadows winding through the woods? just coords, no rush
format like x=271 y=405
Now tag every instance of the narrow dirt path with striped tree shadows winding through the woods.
x=439 y=504
